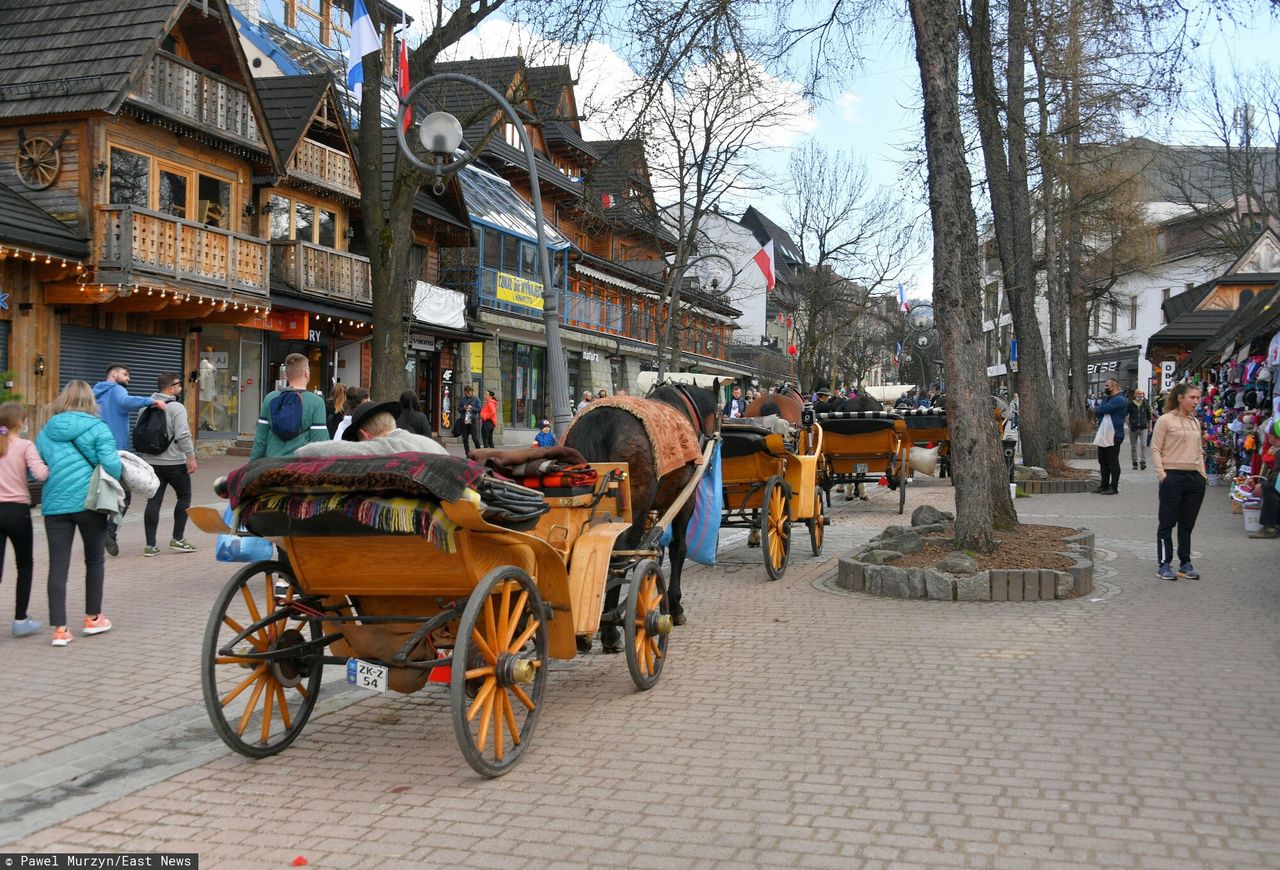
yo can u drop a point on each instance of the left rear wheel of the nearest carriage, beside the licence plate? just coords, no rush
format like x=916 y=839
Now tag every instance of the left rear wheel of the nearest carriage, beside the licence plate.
x=259 y=707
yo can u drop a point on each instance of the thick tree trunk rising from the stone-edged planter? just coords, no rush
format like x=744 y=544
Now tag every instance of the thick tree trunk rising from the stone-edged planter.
x=982 y=493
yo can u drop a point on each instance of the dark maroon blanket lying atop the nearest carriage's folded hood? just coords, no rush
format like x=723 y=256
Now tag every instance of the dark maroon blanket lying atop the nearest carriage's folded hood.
x=423 y=475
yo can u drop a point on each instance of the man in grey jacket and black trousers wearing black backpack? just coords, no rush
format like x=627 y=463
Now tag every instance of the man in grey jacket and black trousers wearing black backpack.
x=163 y=439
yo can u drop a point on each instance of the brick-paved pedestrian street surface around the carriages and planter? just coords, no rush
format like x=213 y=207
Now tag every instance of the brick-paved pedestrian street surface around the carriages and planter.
x=793 y=726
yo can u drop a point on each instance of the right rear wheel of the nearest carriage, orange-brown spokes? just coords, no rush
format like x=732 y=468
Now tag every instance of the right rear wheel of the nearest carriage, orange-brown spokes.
x=500 y=671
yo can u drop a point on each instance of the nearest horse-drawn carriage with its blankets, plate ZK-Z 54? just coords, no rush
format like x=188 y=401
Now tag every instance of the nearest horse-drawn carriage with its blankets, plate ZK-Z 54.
x=406 y=570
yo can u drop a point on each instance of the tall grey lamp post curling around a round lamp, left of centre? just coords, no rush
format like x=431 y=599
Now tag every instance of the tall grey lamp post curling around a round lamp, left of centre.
x=441 y=135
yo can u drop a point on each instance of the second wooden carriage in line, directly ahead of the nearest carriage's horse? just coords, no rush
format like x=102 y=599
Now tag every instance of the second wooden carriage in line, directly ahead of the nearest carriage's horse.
x=770 y=482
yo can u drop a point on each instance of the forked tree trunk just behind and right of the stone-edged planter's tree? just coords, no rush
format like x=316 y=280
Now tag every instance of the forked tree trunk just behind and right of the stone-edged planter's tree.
x=1012 y=209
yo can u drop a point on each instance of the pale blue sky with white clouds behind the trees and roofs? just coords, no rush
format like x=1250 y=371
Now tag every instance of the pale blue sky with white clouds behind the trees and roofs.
x=875 y=115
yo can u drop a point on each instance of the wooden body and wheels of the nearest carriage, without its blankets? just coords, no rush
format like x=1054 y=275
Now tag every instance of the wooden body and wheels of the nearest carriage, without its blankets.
x=483 y=612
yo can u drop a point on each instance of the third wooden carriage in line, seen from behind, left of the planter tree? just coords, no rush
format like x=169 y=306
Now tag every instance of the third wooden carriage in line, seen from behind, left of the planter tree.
x=861 y=447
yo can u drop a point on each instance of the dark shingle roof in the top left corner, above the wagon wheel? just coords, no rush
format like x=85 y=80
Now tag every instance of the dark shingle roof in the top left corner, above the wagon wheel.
x=76 y=56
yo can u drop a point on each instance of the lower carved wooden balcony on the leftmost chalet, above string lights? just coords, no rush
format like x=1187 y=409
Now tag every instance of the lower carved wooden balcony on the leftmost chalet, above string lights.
x=139 y=244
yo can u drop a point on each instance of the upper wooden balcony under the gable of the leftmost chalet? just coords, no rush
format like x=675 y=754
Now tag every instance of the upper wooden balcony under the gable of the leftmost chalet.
x=199 y=98
